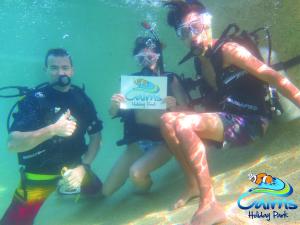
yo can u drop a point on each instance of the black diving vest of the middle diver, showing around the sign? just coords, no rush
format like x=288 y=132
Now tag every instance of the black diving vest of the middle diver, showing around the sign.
x=134 y=131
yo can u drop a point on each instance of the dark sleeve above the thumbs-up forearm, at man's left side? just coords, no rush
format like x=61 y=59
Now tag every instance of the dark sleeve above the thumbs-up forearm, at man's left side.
x=27 y=117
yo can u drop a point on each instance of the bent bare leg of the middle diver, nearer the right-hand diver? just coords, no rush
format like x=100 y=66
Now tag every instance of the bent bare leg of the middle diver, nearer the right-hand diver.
x=150 y=161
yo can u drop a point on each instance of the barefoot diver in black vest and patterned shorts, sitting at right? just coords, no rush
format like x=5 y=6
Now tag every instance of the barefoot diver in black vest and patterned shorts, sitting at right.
x=238 y=112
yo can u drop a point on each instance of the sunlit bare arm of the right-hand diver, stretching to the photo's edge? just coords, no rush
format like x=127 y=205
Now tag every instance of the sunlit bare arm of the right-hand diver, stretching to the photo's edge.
x=238 y=55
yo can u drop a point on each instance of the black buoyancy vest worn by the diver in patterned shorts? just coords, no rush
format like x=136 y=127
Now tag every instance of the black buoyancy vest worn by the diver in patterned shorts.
x=238 y=92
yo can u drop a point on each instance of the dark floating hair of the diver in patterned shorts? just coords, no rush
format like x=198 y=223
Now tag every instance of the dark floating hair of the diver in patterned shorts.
x=178 y=9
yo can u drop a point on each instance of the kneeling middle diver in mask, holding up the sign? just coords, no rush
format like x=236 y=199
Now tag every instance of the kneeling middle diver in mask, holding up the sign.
x=145 y=149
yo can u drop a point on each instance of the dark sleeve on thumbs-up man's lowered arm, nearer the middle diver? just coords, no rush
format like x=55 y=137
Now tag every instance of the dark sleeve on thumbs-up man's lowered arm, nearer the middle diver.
x=94 y=124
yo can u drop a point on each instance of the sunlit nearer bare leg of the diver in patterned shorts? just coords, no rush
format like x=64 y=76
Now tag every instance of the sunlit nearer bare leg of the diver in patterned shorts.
x=188 y=130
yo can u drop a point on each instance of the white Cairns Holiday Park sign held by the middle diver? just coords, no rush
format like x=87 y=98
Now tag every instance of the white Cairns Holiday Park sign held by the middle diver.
x=144 y=92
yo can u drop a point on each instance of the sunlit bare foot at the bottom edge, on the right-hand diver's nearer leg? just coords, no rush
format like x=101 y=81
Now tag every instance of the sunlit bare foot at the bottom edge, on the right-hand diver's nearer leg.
x=209 y=215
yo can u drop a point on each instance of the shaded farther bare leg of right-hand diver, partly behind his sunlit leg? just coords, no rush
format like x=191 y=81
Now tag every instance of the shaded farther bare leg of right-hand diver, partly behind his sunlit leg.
x=191 y=190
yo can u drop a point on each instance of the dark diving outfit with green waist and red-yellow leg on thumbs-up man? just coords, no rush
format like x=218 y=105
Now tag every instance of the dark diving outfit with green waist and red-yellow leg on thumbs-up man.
x=43 y=163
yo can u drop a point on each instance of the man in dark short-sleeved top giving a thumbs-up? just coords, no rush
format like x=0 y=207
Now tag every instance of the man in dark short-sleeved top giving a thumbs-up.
x=48 y=136
